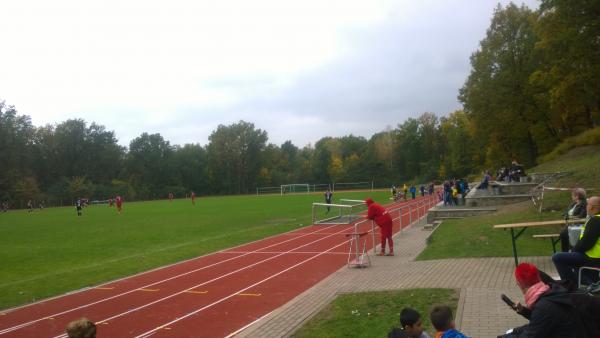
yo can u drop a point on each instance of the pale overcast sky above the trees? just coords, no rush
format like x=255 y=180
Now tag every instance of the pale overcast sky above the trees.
x=300 y=70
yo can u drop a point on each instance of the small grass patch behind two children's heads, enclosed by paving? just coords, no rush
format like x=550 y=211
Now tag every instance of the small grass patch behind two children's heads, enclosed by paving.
x=378 y=312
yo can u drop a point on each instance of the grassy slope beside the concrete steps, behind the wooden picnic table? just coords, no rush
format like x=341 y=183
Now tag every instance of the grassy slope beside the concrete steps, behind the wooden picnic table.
x=474 y=237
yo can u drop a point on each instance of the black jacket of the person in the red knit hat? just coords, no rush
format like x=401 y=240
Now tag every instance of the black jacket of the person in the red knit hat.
x=552 y=316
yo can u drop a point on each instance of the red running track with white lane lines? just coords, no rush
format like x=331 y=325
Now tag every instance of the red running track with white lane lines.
x=209 y=296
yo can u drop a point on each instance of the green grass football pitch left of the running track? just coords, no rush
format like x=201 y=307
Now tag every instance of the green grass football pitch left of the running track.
x=54 y=251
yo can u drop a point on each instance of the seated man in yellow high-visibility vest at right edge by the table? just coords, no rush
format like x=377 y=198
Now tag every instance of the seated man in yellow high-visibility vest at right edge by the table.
x=587 y=251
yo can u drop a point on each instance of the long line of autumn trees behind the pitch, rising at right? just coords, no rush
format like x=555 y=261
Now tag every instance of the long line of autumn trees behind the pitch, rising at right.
x=534 y=81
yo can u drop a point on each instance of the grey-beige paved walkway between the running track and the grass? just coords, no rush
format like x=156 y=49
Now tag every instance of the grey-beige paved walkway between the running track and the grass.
x=480 y=312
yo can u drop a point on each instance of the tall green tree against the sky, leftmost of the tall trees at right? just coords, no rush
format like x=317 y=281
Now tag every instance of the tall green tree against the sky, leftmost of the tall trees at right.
x=497 y=95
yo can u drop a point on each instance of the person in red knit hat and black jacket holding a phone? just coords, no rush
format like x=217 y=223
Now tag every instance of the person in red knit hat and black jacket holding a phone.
x=547 y=307
